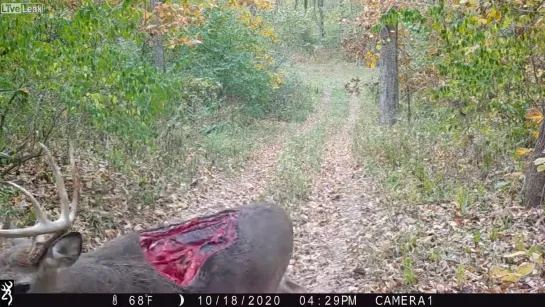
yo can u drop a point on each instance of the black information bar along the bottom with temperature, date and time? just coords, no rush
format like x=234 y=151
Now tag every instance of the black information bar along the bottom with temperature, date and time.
x=306 y=300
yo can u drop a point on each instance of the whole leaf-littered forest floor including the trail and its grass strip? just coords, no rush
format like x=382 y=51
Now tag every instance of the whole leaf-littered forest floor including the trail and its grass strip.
x=346 y=238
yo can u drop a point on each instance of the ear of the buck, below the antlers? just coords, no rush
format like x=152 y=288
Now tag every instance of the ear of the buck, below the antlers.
x=64 y=252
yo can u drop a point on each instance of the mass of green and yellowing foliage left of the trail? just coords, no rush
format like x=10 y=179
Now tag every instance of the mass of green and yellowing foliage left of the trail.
x=86 y=71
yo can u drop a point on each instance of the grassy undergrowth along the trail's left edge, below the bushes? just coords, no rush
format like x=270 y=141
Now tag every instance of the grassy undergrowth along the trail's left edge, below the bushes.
x=235 y=133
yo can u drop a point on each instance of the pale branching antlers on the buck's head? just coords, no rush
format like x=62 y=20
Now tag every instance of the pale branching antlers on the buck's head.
x=43 y=224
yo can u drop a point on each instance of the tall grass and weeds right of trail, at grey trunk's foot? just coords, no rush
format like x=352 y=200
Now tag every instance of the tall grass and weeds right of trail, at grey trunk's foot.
x=436 y=158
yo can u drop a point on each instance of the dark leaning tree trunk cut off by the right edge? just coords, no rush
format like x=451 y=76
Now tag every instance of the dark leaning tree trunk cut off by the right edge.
x=534 y=183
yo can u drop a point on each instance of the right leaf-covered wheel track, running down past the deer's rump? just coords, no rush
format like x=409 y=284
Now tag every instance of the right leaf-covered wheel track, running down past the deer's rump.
x=323 y=260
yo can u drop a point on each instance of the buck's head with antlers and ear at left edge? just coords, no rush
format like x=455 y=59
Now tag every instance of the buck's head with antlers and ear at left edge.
x=44 y=248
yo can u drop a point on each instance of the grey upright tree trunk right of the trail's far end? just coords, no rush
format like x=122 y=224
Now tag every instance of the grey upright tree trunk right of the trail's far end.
x=388 y=81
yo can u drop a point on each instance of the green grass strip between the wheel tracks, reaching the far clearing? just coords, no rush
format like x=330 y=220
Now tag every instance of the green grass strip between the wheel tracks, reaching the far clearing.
x=300 y=163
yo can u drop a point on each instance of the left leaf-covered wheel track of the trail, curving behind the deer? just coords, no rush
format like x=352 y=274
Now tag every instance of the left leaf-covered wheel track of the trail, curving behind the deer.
x=220 y=192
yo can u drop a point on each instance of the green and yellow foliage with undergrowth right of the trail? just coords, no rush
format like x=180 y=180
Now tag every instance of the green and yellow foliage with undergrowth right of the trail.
x=471 y=71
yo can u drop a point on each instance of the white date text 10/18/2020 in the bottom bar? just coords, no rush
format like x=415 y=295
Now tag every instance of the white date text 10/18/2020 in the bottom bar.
x=238 y=300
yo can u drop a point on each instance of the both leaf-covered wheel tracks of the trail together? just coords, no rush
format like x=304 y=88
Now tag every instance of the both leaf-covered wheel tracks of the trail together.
x=325 y=226
